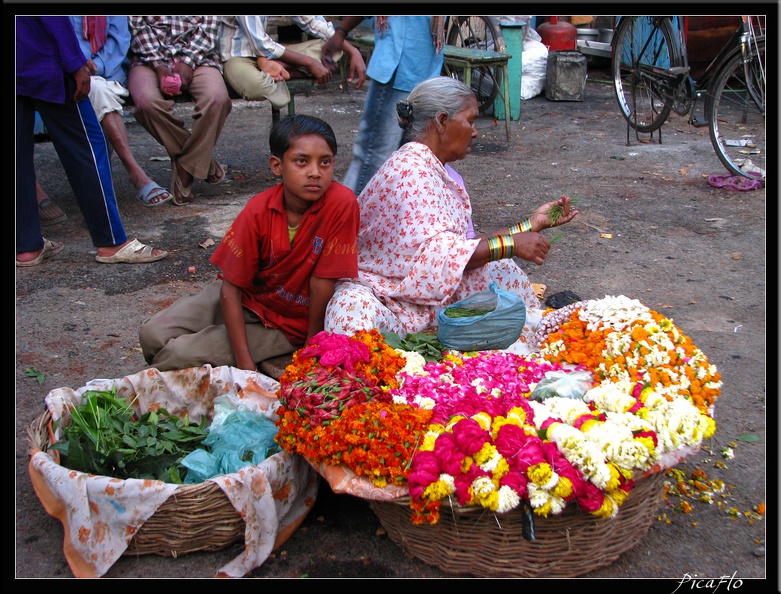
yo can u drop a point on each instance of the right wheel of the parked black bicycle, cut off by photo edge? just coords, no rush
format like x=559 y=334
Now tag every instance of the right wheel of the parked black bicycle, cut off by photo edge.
x=736 y=113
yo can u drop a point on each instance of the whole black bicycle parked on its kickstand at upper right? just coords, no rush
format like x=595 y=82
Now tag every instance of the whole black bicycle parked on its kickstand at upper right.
x=651 y=74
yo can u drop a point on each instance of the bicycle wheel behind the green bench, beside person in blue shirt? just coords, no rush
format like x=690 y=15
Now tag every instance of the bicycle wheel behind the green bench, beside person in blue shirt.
x=478 y=32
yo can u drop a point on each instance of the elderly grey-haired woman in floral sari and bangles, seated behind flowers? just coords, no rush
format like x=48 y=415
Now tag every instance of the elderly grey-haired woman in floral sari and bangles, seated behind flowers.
x=416 y=249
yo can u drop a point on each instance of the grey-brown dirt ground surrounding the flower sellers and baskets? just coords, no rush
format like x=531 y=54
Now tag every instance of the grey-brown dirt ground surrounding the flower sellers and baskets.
x=691 y=251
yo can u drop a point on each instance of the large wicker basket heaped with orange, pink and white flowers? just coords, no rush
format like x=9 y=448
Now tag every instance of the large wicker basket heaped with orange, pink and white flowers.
x=496 y=463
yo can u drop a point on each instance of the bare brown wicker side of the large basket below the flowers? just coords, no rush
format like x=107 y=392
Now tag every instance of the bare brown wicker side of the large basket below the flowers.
x=477 y=542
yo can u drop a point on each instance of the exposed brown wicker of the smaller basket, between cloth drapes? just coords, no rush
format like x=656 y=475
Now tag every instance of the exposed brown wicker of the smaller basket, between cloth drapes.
x=196 y=518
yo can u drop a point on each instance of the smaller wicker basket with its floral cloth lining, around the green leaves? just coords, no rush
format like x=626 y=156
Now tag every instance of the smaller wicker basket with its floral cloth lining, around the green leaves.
x=168 y=519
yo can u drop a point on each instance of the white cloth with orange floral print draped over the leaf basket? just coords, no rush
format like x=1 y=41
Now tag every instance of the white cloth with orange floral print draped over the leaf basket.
x=100 y=514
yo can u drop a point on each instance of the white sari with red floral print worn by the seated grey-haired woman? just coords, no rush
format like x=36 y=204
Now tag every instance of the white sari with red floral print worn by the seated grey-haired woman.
x=413 y=250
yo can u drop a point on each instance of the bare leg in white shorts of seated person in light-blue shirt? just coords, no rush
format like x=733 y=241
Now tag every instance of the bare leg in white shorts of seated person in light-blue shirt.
x=107 y=100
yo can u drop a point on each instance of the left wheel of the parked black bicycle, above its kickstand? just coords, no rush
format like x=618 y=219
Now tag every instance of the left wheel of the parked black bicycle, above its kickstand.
x=641 y=42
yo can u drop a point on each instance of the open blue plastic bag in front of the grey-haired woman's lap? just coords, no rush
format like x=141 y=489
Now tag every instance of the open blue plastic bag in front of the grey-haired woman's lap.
x=497 y=329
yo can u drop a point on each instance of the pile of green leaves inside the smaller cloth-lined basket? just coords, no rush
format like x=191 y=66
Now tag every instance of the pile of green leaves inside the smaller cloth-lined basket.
x=106 y=436
